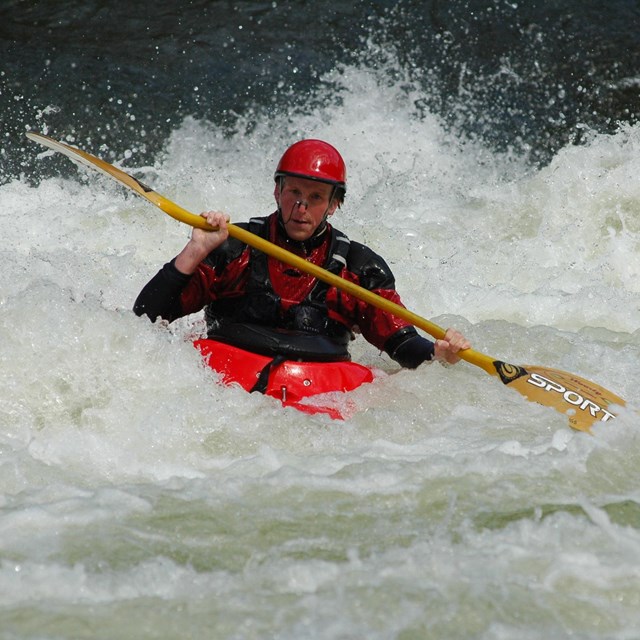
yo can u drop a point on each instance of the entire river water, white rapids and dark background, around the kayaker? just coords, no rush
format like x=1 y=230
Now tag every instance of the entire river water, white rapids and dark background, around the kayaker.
x=493 y=154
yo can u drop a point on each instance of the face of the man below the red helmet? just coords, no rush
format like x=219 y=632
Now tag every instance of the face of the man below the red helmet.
x=304 y=204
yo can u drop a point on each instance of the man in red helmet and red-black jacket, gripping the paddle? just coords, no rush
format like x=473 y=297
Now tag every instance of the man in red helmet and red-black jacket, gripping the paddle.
x=241 y=288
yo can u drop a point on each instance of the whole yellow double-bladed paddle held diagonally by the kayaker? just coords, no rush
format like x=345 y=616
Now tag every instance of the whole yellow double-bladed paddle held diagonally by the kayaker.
x=583 y=402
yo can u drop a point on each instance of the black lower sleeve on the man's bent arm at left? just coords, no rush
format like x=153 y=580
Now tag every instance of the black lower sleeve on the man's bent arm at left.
x=161 y=295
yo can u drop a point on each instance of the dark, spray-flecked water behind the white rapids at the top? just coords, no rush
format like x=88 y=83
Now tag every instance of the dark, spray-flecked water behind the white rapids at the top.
x=520 y=75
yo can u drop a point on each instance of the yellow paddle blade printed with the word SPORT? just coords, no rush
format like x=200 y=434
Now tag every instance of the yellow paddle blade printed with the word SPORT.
x=582 y=401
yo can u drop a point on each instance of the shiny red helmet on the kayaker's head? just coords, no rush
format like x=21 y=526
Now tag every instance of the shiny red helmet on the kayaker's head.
x=314 y=160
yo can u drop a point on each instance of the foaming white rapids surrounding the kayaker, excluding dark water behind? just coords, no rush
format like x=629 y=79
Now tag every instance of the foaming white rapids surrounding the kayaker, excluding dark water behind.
x=143 y=499
